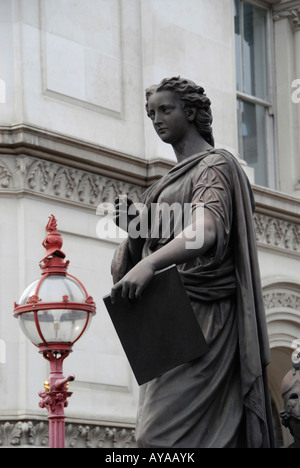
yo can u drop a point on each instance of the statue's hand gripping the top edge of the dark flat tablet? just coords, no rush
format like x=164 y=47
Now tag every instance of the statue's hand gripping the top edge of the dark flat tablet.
x=134 y=282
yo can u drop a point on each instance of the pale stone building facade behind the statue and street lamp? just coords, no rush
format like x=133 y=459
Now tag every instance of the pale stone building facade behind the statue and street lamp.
x=73 y=134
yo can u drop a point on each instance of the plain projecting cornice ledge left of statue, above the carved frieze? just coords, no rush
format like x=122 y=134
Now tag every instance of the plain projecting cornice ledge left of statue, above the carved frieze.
x=41 y=143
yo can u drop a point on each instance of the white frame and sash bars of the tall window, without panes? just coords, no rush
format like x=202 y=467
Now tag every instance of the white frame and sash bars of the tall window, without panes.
x=268 y=104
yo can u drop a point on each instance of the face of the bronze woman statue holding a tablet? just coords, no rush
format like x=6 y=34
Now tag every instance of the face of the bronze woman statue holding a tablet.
x=168 y=116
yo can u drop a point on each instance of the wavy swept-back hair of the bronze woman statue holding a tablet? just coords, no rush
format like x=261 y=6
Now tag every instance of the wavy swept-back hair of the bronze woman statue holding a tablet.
x=191 y=95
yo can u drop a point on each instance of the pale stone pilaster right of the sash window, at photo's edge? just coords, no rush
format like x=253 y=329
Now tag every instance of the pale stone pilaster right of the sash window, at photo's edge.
x=287 y=64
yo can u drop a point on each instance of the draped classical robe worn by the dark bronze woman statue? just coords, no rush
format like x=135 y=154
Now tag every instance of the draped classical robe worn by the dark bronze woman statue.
x=220 y=400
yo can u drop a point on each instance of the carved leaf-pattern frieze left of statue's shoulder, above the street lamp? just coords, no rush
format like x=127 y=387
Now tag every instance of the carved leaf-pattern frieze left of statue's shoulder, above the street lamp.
x=49 y=179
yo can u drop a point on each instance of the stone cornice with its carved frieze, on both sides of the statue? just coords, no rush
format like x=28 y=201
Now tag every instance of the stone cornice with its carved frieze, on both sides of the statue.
x=60 y=169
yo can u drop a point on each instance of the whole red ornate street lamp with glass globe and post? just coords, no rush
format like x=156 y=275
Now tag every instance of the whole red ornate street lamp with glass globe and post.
x=54 y=312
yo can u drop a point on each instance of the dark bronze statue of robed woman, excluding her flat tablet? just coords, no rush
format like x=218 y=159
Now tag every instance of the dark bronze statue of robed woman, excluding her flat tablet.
x=221 y=399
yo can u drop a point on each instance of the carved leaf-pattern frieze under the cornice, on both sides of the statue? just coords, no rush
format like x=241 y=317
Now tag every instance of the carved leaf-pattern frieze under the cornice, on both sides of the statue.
x=47 y=179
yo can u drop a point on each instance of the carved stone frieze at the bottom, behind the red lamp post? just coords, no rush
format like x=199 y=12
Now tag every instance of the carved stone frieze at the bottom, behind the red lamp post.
x=35 y=434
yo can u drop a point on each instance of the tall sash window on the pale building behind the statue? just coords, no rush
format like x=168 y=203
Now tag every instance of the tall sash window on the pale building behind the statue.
x=254 y=105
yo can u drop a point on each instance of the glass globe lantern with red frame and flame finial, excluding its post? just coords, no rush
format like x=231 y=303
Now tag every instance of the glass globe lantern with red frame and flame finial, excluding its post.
x=55 y=310
